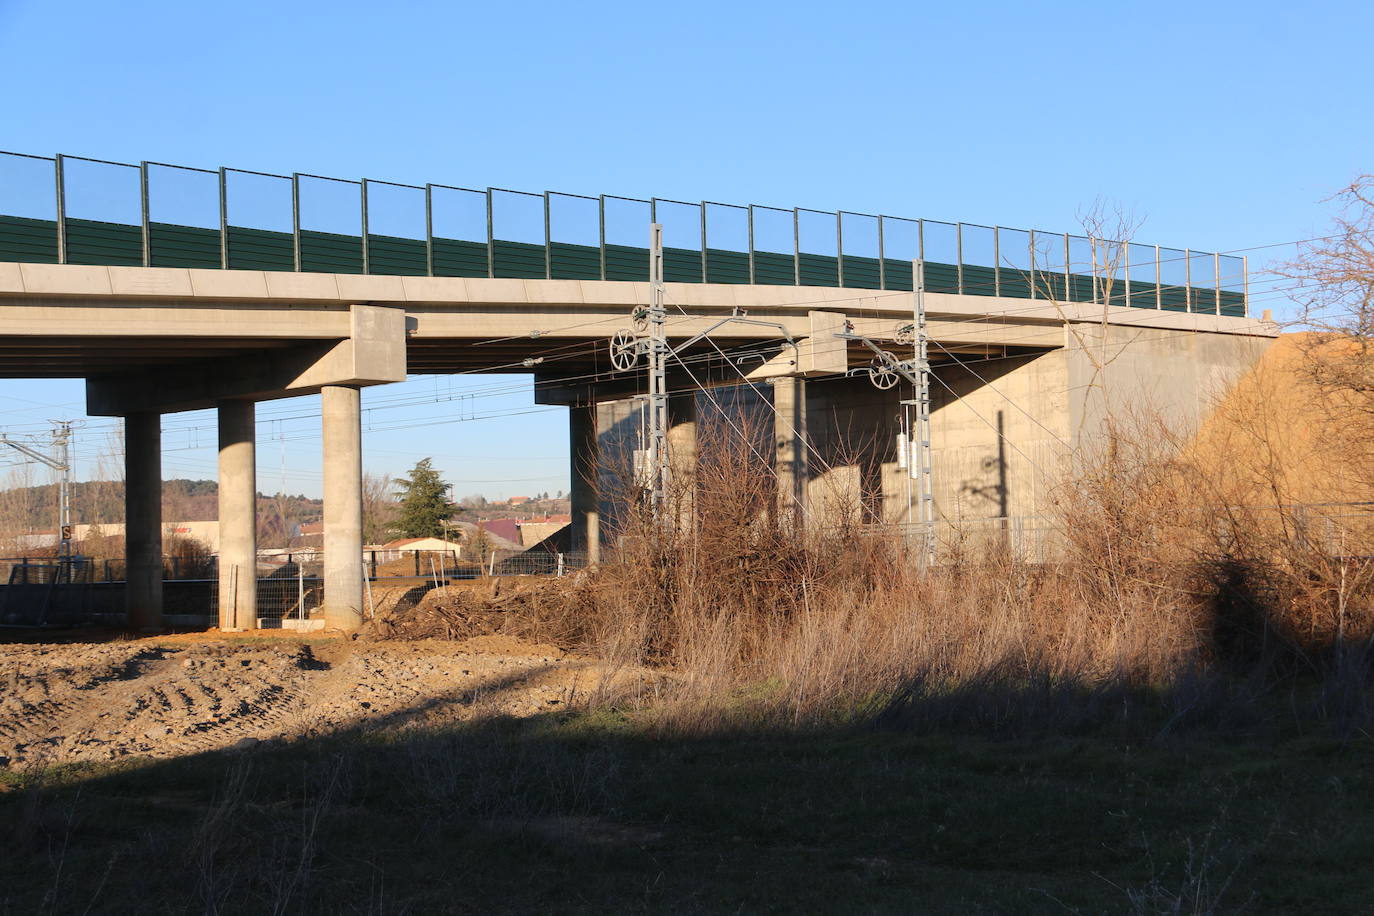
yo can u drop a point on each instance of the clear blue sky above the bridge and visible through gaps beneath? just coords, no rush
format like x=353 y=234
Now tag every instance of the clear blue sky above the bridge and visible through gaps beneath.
x=1221 y=124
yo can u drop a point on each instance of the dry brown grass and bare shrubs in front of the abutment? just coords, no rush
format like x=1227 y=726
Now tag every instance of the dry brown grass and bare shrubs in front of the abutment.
x=1156 y=613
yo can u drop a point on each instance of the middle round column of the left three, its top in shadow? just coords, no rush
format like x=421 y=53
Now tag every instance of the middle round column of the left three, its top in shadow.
x=238 y=516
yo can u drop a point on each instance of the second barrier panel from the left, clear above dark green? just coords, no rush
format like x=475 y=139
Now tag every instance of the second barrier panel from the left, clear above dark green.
x=104 y=214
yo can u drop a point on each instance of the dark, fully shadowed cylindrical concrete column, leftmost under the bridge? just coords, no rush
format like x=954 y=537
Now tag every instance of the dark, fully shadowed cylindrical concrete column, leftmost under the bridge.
x=144 y=520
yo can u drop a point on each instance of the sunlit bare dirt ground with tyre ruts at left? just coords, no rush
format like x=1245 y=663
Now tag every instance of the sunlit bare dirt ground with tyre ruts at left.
x=174 y=696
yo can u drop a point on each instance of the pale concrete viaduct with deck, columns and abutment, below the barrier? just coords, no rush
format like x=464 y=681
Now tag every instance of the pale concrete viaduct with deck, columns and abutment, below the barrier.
x=152 y=341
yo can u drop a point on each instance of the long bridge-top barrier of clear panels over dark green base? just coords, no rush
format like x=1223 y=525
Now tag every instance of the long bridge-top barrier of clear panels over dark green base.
x=76 y=211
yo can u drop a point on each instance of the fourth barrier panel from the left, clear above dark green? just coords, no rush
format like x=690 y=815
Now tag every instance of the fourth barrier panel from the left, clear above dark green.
x=259 y=215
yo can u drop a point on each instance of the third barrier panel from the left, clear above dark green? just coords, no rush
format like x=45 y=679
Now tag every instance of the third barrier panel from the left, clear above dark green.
x=183 y=218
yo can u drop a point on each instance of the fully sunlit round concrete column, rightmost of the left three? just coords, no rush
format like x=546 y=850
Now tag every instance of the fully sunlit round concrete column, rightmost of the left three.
x=343 y=507
